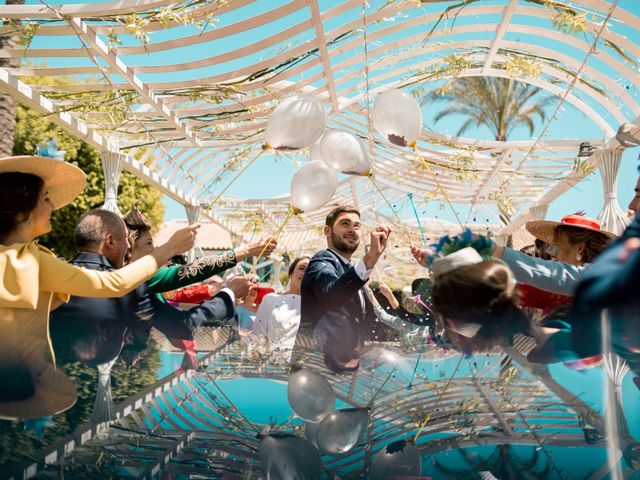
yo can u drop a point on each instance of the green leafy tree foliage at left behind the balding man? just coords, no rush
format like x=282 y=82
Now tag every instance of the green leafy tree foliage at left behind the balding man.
x=32 y=129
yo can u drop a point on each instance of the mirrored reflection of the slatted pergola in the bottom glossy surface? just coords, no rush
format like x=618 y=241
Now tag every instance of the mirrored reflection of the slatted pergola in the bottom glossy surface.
x=178 y=425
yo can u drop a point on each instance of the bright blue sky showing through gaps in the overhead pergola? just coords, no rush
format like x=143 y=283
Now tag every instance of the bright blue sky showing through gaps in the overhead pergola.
x=271 y=176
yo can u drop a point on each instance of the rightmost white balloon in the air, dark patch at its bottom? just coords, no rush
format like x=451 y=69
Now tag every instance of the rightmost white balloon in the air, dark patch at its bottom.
x=397 y=117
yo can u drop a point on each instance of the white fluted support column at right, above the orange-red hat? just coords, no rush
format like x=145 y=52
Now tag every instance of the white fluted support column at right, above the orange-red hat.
x=612 y=218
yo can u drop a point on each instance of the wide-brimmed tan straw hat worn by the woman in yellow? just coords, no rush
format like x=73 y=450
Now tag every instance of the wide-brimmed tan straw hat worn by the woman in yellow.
x=63 y=180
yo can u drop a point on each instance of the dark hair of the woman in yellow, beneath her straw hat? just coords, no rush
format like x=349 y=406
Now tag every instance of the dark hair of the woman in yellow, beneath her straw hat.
x=19 y=196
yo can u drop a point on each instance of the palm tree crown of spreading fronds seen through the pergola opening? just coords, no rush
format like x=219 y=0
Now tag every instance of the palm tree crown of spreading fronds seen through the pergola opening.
x=501 y=104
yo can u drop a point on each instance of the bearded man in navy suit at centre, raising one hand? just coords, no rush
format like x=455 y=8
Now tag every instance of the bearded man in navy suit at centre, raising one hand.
x=335 y=307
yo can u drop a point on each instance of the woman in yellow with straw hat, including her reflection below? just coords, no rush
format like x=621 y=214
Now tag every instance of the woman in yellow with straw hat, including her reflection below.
x=32 y=279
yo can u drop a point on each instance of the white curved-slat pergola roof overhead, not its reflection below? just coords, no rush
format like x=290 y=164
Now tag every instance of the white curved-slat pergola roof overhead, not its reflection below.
x=184 y=107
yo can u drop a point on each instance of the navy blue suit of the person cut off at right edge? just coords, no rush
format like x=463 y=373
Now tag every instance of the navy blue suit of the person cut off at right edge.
x=612 y=284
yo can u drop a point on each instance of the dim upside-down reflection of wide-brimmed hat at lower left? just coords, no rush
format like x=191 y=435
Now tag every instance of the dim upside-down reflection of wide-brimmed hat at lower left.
x=53 y=392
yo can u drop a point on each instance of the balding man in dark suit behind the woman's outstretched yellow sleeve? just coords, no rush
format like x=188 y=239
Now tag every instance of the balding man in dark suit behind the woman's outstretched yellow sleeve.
x=101 y=240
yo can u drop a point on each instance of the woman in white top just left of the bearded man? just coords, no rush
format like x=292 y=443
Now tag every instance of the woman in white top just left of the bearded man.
x=278 y=317
